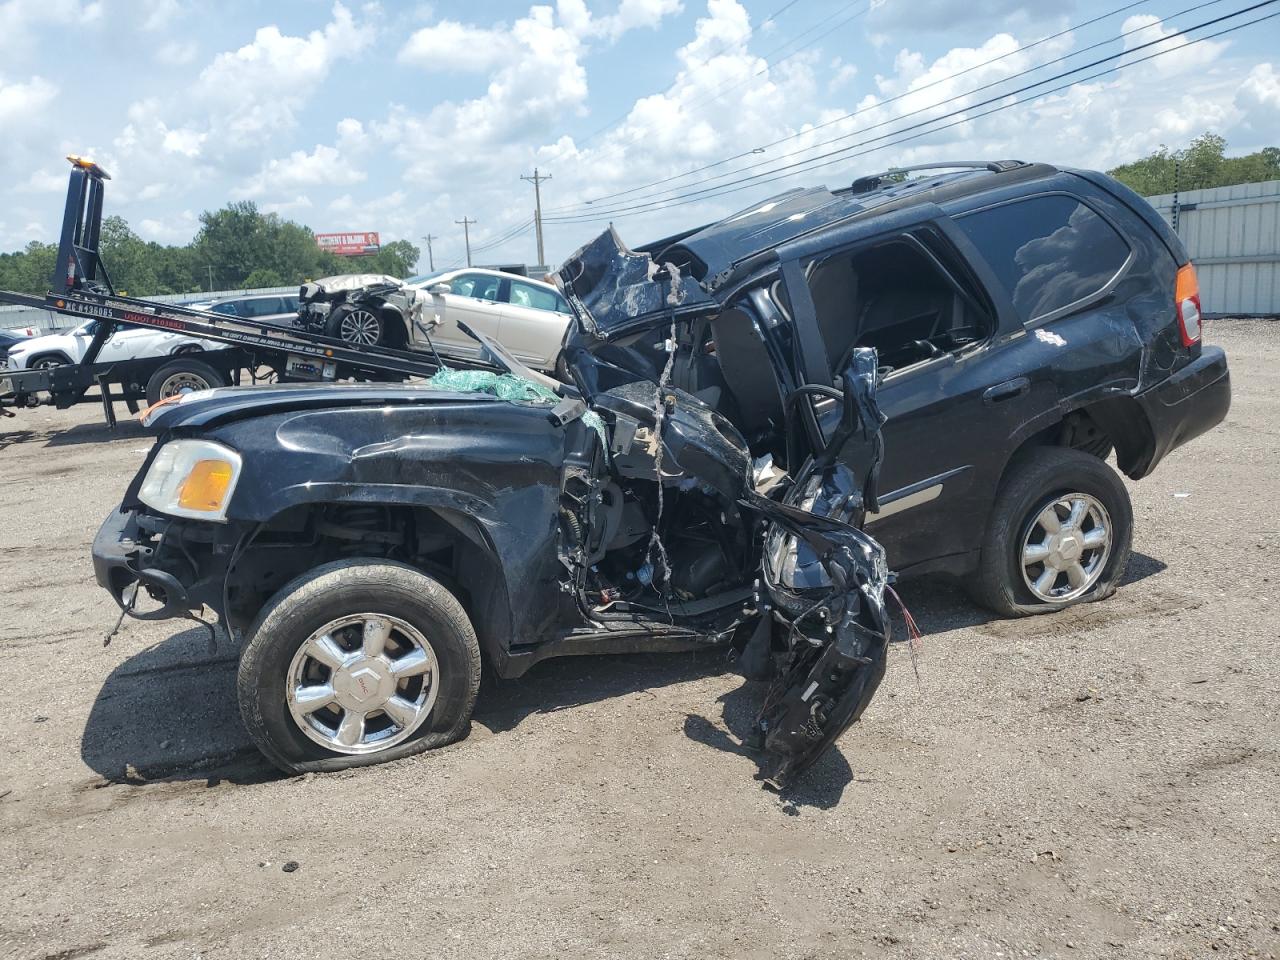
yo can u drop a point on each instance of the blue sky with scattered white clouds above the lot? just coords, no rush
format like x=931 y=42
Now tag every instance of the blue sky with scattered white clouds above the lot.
x=403 y=117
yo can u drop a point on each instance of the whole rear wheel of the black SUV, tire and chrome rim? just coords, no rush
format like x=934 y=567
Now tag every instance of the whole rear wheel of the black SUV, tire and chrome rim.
x=1060 y=534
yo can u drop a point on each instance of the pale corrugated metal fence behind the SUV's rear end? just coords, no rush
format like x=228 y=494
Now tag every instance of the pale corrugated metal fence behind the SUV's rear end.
x=1233 y=235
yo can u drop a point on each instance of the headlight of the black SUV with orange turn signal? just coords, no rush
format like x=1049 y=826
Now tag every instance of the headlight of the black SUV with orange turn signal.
x=193 y=479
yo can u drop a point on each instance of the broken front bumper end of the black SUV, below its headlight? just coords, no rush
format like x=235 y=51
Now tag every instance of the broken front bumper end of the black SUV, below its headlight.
x=127 y=557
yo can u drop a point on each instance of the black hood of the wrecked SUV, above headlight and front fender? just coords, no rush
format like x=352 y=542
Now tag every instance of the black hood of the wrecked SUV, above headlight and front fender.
x=226 y=404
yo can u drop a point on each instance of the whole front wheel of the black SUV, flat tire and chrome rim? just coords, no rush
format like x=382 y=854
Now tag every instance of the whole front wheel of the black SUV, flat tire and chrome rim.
x=358 y=662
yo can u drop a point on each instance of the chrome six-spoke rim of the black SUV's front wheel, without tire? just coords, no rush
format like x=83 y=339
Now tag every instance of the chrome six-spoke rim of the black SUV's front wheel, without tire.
x=363 y=684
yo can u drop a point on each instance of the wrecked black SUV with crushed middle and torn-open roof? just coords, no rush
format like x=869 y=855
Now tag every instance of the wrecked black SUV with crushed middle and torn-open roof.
x=703 y=478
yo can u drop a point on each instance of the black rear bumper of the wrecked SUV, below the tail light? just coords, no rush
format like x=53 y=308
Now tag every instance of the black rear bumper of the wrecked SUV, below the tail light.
x=1188 y=404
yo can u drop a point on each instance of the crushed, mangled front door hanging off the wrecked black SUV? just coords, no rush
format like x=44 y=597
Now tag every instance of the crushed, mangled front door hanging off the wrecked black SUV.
x=830 y=633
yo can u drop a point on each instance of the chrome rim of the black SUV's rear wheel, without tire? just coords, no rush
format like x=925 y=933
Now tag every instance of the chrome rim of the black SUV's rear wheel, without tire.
x=1066 y=548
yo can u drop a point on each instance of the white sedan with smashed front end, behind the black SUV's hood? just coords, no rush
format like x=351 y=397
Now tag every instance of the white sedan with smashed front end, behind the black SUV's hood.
x=528 y=317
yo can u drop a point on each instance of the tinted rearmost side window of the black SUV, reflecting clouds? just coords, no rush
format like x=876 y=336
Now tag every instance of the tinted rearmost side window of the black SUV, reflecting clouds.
x=1049 y=252
